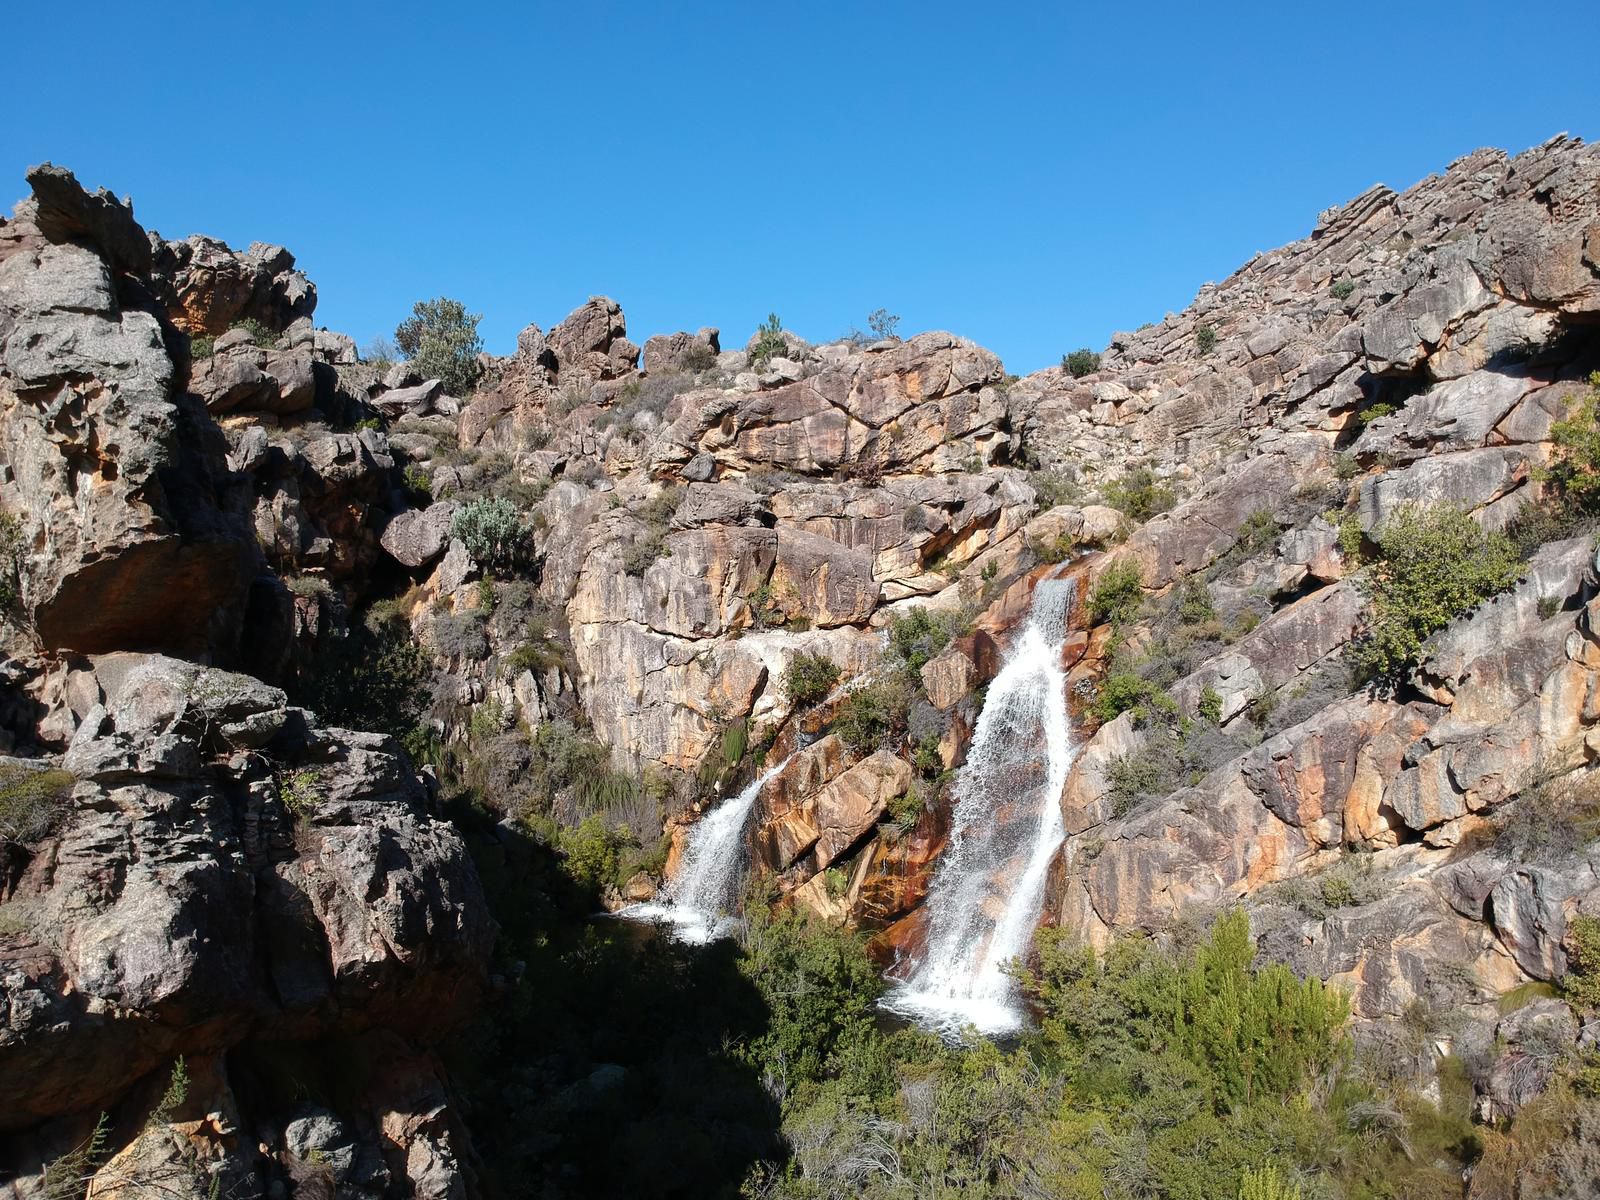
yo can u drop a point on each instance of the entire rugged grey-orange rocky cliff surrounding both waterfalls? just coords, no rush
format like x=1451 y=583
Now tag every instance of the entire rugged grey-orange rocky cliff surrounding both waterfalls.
x=212 y=502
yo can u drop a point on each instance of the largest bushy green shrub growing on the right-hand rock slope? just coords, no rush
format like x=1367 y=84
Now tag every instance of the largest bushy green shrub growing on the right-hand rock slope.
x=1433 y=566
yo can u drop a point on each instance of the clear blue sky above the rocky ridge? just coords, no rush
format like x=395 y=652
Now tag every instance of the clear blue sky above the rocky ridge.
x=1033 y=177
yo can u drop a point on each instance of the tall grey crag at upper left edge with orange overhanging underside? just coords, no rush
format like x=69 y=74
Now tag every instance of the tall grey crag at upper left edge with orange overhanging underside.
x=113 y=476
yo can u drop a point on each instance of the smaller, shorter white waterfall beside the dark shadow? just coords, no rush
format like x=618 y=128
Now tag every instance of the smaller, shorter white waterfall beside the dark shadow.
x=702 y=897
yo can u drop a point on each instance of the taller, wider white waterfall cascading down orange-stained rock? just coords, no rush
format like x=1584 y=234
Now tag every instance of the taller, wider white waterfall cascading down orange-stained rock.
x=990 y=884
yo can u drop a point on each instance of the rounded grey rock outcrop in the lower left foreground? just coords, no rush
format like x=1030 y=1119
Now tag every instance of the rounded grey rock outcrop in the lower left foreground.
x=194 y=900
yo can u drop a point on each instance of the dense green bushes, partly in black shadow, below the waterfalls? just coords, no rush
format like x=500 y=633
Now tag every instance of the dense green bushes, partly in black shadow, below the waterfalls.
x=758 y=1066
